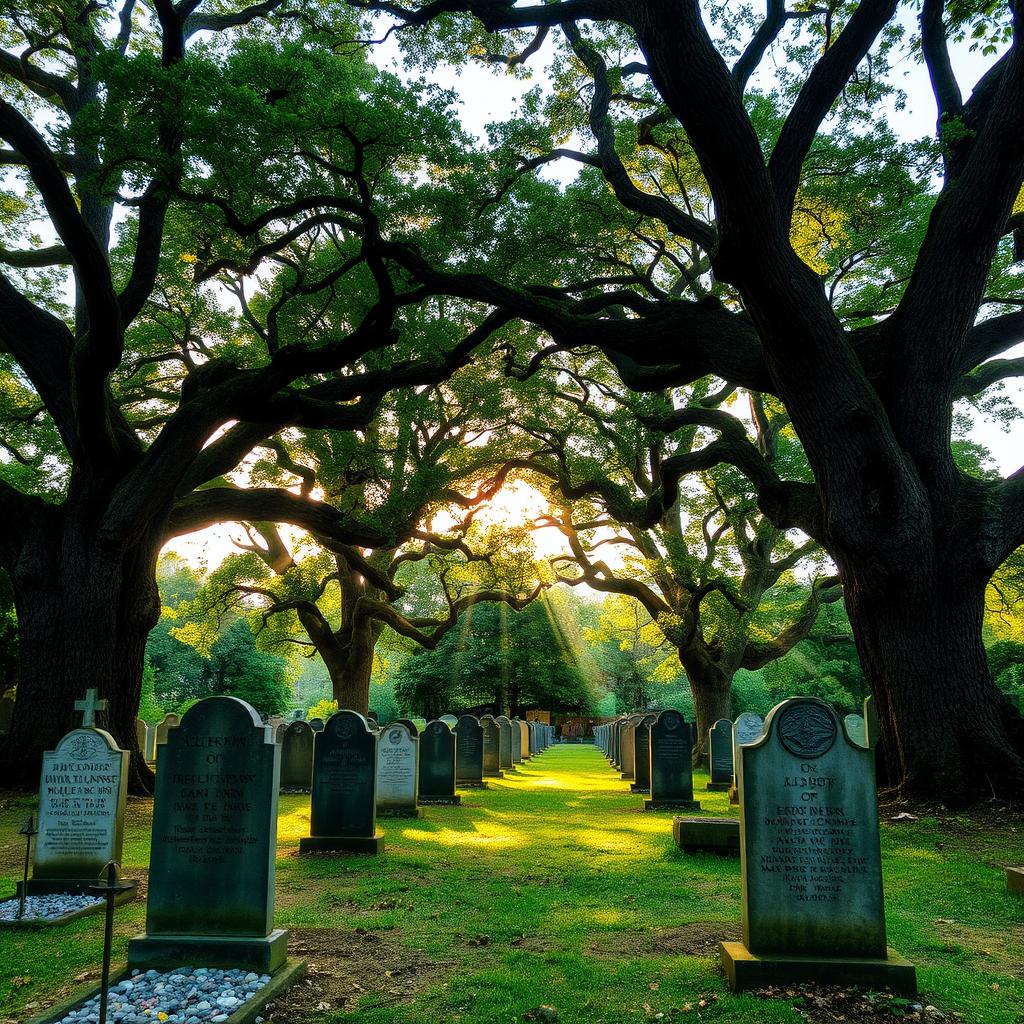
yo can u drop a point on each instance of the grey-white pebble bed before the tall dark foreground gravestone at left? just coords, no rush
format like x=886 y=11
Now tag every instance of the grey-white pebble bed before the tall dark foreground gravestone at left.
x=186 y=996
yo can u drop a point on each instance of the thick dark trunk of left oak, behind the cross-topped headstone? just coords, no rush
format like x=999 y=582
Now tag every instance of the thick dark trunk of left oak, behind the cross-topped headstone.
x=86 y=608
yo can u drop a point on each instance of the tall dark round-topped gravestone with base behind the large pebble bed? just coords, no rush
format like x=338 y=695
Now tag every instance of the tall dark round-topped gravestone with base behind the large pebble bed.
x=215 y=842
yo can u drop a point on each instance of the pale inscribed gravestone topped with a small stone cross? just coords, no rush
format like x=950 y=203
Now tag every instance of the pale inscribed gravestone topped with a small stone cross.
x=82 y=792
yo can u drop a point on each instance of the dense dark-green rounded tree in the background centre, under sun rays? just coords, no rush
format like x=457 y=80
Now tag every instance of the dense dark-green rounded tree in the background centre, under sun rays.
x=508 y=660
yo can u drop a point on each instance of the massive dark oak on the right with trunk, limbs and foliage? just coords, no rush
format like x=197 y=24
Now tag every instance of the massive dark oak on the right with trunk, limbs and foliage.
x=767 y=228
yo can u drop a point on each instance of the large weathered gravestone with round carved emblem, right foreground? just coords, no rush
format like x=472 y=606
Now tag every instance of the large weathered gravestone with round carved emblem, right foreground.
x=810 y=860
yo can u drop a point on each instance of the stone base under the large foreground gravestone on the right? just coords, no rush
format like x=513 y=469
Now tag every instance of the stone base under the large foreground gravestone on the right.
x=745 y=970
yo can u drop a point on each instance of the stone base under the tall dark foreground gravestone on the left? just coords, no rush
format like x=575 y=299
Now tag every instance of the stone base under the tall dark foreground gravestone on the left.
x=164 y=952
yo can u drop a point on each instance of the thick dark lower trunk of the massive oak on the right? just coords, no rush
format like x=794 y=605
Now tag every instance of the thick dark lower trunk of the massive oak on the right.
x=949 y=733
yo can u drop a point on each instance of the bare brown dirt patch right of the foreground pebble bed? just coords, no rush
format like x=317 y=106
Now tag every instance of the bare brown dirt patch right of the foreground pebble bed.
x=346 y=967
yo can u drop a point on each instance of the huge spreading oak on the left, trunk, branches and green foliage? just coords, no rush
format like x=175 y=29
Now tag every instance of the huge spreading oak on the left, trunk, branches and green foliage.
x=177 y=154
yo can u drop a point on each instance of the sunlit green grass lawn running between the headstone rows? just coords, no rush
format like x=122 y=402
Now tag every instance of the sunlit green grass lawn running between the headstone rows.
x=556 y=887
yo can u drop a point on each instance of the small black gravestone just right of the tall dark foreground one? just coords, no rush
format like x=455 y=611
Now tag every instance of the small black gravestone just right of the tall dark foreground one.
x=344 y=806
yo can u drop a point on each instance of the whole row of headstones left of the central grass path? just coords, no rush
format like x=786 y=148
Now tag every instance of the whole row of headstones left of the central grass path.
x=211 y=882
